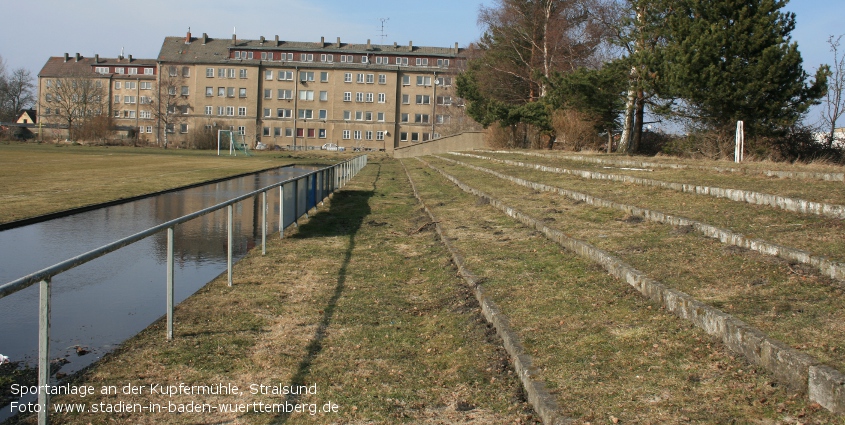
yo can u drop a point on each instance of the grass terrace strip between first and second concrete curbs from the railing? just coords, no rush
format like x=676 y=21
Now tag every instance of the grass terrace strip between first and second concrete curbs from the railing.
x=603 y=350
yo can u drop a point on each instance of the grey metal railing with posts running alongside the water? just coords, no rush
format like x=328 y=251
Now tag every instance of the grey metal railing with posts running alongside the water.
x=319 y=184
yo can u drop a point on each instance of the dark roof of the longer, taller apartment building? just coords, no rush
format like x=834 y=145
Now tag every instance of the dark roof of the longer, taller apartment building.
x=216 y=50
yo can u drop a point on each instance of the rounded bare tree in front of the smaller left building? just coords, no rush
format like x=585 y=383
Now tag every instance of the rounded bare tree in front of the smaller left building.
x=75 y=100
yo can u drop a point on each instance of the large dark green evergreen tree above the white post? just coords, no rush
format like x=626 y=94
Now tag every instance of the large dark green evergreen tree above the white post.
x=730 y=60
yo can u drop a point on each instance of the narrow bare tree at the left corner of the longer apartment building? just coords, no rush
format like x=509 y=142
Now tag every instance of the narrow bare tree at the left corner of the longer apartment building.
x=172 y=106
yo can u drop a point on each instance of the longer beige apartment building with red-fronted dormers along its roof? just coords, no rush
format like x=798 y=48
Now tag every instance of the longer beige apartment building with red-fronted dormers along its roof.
x=305 y=94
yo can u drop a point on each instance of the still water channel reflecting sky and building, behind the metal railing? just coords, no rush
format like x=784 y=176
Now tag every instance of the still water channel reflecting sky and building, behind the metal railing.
x=99 y=304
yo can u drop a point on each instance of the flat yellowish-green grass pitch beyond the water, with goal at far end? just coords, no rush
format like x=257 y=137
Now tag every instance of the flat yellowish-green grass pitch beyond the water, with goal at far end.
x=37 y=179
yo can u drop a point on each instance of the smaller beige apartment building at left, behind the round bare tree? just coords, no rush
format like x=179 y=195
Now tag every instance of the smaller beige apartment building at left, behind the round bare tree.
x=122 y=88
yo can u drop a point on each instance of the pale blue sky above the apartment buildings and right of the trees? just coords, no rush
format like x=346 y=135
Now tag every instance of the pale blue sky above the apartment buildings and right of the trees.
x=34 y=30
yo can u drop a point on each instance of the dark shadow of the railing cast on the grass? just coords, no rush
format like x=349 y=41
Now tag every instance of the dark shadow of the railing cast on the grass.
x=348 y=210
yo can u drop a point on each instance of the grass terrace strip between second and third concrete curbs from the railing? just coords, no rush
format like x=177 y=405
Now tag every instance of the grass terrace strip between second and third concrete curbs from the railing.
x=790 y=302
